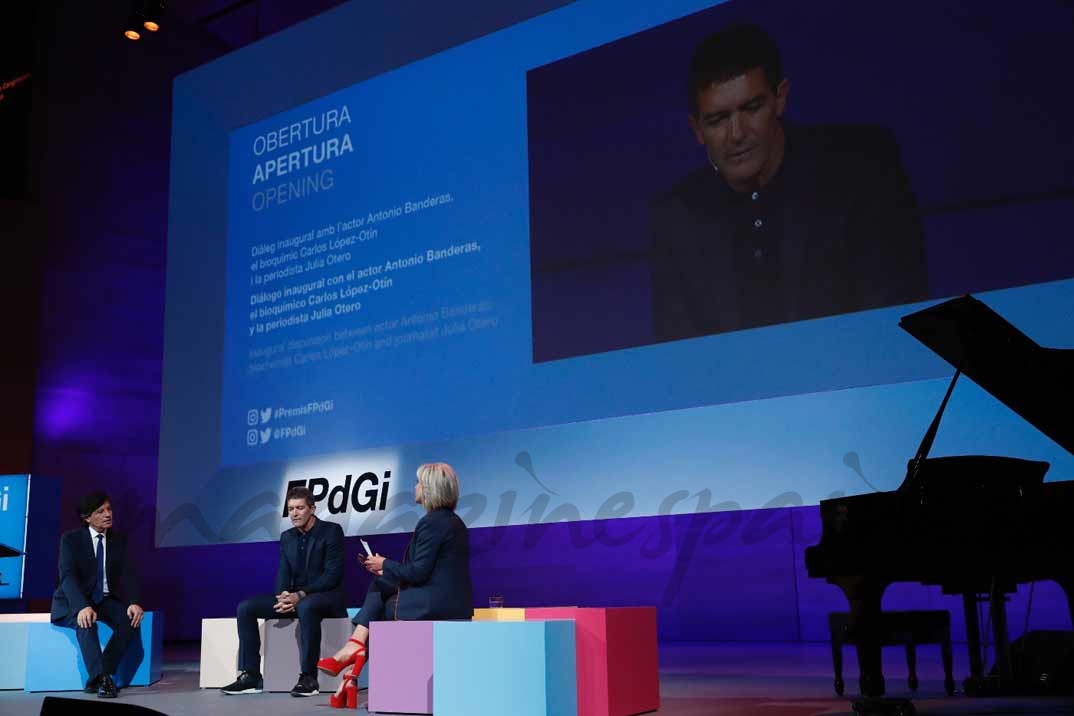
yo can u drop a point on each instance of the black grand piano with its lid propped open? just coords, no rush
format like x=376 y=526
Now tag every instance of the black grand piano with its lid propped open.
x=976 y=525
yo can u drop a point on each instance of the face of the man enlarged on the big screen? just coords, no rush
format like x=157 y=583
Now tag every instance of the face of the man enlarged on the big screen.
x=738 y=122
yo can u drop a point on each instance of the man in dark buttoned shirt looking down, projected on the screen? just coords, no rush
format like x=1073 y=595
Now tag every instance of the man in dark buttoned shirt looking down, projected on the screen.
x=783 y=223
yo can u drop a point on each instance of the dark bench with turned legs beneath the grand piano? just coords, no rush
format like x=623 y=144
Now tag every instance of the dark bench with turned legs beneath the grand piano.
x=898 y=630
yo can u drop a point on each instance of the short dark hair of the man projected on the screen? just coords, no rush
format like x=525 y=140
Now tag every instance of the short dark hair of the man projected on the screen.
x=731 y=53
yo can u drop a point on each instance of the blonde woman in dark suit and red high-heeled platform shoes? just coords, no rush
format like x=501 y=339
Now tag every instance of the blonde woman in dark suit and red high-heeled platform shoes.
x=432 y=582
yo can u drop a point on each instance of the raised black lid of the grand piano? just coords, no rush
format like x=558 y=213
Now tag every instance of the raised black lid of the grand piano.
x=1036 y=383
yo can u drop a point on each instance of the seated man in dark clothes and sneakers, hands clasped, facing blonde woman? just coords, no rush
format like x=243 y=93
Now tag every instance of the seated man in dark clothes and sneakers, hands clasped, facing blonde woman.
x=309 y=586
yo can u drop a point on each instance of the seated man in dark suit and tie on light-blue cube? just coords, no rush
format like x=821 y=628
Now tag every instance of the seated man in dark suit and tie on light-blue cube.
x=98 y=583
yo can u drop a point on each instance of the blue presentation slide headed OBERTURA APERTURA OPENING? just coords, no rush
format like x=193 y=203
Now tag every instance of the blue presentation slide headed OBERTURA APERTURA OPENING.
x=356 y=252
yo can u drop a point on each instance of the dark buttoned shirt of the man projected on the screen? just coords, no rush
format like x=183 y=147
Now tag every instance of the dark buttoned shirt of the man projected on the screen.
x=836 y=230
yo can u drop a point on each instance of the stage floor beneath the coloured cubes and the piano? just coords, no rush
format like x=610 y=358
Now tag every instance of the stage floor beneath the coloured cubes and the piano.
x=696 y=680
